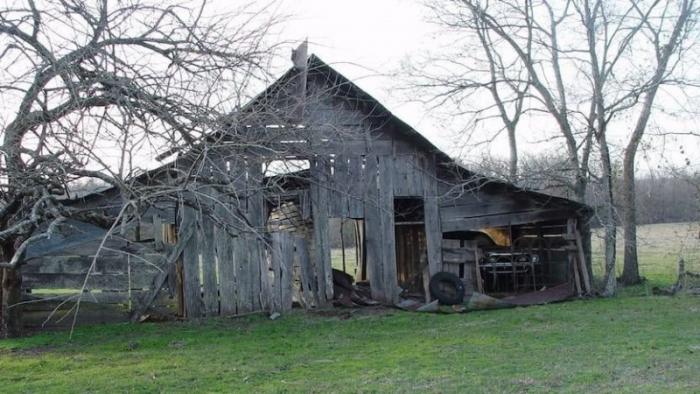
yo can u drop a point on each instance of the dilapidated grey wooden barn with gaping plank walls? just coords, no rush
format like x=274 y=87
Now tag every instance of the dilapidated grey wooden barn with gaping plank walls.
x=242 y=222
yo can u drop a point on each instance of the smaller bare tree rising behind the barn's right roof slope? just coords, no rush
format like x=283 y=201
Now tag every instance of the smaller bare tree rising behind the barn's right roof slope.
x=475 y=72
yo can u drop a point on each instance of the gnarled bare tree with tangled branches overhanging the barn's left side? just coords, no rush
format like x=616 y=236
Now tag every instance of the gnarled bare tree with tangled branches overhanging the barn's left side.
x=83 y=80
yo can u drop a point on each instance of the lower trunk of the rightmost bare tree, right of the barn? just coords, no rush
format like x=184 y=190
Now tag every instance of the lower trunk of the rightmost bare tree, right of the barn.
x=630 y=272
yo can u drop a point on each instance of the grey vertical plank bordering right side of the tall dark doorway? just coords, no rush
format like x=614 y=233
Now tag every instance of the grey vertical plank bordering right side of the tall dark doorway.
x=433 y=232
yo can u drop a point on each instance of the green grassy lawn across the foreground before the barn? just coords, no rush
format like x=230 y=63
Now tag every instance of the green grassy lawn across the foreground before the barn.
x=630 y=343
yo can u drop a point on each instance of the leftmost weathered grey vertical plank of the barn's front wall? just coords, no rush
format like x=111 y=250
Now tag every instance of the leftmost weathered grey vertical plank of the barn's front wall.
x=190 y=262
